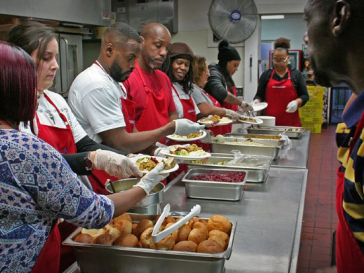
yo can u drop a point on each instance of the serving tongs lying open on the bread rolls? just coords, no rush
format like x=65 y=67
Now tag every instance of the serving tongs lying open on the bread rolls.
x=156 y=237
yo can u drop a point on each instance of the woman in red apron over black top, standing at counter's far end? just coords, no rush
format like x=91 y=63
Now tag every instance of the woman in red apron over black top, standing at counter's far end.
x=283 y=88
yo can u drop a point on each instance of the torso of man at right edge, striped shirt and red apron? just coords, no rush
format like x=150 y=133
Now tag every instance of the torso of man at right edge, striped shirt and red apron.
x=349 y=249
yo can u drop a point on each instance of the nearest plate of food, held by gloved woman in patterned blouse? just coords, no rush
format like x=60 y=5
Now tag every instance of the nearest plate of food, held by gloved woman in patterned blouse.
x=147 y=163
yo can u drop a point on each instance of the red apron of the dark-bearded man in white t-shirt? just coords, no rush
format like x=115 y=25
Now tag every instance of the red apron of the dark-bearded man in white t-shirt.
x=97 y=177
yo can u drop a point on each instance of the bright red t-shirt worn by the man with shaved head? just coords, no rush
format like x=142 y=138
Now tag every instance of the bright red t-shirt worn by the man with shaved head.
x=136 y=92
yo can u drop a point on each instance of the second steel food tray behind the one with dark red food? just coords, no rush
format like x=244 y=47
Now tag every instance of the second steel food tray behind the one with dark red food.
x=271 y=147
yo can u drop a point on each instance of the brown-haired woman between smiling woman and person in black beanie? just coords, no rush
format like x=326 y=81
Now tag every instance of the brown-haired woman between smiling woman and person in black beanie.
x=206 y=103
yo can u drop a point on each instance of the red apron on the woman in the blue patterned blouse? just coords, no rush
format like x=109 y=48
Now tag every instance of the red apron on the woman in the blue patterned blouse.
x=48 y=259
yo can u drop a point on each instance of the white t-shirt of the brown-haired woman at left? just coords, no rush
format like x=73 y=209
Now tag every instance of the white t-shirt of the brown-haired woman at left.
x=48 y=115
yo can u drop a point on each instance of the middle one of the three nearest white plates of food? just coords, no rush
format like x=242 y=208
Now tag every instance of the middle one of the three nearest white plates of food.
x=186 y=152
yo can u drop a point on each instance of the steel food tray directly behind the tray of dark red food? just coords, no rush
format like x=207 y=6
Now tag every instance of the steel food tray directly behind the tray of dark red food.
x=257 y=169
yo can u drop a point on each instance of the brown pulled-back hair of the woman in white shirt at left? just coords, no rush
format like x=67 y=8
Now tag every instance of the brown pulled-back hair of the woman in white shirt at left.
x=31 y=36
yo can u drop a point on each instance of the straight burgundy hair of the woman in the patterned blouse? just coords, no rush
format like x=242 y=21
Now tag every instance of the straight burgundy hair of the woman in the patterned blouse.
x=18 y=82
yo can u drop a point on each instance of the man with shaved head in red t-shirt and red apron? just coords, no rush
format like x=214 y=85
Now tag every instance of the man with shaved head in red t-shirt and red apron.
x=148 y=87
